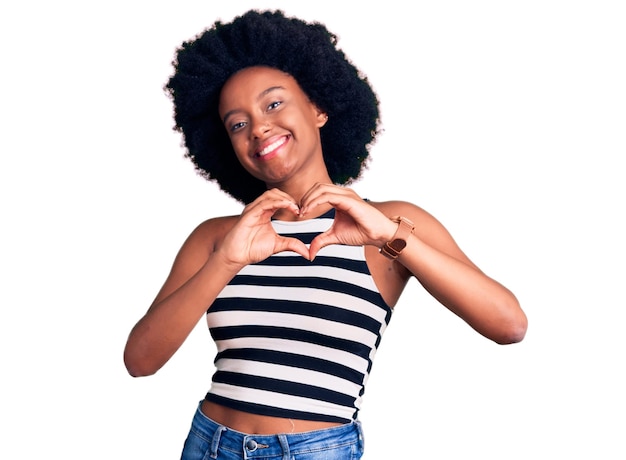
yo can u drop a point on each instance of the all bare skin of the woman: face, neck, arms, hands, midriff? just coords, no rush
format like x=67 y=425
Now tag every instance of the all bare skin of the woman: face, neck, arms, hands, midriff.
x=275 y=131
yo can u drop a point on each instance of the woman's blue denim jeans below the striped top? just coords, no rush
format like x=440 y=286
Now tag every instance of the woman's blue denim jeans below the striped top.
x=208 y=440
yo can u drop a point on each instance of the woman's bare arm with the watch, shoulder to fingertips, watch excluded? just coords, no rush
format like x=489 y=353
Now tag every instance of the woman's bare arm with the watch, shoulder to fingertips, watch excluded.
x=431 y=255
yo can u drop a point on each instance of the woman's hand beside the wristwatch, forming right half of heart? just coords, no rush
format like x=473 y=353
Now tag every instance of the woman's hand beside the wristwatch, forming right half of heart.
x=356 y=222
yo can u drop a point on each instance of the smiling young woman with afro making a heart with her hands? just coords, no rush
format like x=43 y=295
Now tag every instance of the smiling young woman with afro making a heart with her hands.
x=298 y=289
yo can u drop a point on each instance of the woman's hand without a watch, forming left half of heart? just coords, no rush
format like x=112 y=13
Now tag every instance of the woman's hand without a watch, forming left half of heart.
x=253 y=238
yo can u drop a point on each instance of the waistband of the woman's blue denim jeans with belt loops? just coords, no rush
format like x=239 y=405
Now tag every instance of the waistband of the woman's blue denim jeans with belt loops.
x=275 y=445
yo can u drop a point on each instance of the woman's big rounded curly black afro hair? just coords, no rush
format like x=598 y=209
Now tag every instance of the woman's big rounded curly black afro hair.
x=306 y=51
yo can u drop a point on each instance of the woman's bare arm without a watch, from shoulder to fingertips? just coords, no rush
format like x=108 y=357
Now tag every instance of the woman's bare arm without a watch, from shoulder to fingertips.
x=211 y=256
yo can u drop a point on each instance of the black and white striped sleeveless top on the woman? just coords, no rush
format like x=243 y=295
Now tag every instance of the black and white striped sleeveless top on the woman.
x=296 y=339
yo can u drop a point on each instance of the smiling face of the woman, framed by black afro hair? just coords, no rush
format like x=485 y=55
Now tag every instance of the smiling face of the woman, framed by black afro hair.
x=272 y=125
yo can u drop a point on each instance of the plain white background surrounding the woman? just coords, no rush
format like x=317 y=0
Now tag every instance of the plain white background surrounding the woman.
x=506 y=120
